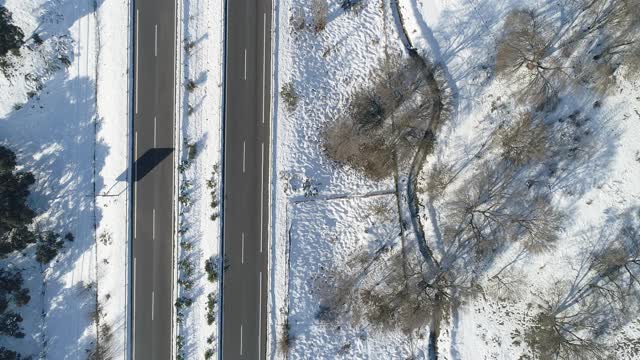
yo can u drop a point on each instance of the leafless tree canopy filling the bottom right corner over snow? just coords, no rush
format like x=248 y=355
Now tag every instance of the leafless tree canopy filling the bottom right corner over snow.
x=601 y=299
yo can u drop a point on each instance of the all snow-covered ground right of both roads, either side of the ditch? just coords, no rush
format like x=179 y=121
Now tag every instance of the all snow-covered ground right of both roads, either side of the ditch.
x=323 y=214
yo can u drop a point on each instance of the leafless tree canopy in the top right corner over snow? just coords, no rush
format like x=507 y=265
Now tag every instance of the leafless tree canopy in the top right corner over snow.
x=544 y=54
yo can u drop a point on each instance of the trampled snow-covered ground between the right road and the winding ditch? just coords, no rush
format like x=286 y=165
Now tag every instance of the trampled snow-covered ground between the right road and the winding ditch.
x=324 y=69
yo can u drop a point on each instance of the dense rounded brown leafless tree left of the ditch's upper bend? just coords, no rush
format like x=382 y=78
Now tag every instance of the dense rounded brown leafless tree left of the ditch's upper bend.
x=384 y=120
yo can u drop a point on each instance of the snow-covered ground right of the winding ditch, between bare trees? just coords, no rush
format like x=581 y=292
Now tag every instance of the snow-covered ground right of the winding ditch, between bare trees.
x=594 y=191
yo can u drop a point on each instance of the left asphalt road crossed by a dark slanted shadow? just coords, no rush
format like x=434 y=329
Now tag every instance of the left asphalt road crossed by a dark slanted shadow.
x=153 y=181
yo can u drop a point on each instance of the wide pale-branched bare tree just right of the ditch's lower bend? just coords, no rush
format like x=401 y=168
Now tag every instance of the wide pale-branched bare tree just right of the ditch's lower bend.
x=492 y=211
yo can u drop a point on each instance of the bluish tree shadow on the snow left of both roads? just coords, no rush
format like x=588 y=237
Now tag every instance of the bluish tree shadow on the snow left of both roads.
x=54 y=136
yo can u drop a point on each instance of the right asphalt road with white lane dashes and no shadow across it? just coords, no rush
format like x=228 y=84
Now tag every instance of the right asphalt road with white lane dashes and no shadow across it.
x=246 y=179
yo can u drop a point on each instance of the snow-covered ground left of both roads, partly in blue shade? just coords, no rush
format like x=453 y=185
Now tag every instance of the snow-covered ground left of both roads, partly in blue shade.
x=64 y=110
